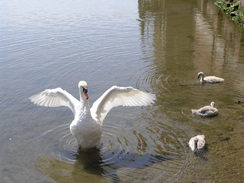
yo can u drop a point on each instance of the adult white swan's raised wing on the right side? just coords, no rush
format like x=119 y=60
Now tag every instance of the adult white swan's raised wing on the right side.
x=119 y=96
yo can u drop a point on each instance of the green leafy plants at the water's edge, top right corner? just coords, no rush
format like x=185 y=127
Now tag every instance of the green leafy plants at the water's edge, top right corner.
x=234 y=9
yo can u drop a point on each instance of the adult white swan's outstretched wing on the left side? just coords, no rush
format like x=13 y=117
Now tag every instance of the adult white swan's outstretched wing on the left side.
x=55 y=98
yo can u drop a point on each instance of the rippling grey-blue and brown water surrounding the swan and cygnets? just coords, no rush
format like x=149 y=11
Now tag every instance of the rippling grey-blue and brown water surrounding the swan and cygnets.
x=157 y=46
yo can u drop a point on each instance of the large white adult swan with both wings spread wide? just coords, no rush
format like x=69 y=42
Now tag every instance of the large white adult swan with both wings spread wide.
x=87 y=124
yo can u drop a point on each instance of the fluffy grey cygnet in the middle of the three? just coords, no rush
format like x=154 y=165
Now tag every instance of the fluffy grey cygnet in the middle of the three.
x=206 y=111
